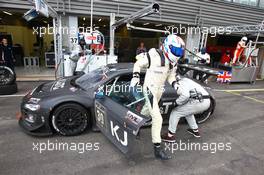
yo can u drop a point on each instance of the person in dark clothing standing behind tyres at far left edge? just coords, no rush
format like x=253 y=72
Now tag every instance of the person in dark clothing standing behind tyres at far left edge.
x=6 y=52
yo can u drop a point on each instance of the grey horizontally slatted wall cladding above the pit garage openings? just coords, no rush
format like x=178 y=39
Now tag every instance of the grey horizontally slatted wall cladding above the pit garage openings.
x=173 y=11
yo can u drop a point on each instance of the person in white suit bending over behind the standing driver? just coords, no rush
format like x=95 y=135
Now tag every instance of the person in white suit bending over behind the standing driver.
x=193 y=99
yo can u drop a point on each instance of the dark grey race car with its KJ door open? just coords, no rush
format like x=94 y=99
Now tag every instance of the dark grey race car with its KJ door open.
x=103 y=98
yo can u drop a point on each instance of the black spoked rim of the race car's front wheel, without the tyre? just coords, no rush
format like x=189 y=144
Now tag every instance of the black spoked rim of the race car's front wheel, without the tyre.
x=70 y=121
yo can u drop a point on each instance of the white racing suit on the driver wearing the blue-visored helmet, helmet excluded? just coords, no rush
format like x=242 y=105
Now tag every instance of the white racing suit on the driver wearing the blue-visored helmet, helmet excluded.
x=159 y=69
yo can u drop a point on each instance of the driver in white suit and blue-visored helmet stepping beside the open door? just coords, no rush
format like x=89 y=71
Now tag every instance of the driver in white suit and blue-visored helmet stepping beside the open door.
x=161 y=66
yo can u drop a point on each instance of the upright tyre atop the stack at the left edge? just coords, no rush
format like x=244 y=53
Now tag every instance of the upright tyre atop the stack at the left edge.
x=7 y=76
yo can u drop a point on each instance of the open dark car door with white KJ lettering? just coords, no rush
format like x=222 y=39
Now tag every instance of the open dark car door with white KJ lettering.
x=118 y=123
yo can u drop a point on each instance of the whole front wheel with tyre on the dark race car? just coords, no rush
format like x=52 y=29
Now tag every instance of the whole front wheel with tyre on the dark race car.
x=70 y=119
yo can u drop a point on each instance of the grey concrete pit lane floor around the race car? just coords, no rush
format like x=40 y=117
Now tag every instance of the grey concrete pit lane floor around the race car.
x=231 y=143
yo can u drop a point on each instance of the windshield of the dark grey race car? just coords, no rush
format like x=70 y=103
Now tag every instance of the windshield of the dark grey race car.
x=89 y=80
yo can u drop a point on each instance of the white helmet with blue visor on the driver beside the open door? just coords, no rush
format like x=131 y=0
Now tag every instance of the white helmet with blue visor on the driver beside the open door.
x=173 y=48
